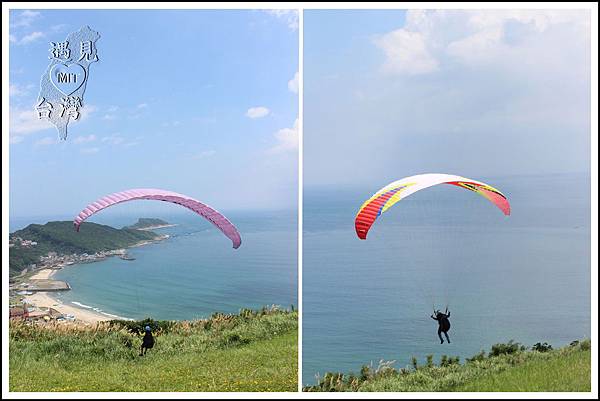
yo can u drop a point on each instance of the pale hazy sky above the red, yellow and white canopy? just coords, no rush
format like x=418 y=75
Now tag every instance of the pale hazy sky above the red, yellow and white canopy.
x=478 y=93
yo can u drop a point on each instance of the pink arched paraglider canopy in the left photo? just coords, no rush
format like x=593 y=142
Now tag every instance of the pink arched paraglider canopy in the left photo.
x=210 y=214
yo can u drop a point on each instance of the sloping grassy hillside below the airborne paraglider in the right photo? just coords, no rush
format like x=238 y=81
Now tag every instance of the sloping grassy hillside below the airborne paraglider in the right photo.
x=508 y=367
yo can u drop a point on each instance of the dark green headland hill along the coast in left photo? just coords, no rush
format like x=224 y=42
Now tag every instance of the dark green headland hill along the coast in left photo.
x=60 y=237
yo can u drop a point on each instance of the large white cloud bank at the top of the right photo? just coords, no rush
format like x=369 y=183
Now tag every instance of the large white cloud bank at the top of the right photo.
x=432 y=40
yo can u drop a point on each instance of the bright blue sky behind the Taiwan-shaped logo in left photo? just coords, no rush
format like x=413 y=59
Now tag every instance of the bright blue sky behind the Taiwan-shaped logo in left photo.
x=199 y=102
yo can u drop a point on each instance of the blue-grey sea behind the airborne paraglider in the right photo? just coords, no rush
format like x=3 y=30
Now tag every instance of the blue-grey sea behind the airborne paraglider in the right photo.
x=525 y=277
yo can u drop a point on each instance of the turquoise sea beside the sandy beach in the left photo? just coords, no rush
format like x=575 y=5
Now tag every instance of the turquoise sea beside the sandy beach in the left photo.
x=195 y=272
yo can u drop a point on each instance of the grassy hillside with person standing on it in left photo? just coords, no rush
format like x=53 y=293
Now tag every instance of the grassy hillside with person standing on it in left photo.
x=252 y=351
